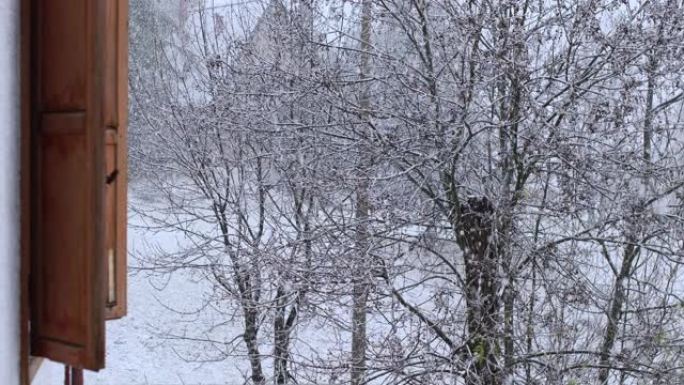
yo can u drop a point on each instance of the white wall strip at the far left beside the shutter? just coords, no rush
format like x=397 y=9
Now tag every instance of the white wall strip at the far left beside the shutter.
x=9 y=191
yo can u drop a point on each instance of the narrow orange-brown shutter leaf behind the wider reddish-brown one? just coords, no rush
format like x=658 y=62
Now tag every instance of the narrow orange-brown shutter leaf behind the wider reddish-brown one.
x=115 y=113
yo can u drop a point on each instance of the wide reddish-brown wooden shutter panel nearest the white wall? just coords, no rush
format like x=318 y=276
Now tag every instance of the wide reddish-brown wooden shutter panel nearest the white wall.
x=67 y=182
